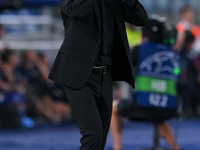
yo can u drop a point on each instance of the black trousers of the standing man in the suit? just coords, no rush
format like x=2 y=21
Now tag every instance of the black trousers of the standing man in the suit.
x=92 y=109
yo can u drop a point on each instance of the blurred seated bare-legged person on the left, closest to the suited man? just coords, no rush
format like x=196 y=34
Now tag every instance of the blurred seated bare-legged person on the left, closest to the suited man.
x=54 y=96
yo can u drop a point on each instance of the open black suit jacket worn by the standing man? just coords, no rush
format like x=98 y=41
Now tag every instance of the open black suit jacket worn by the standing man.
x=76 y=58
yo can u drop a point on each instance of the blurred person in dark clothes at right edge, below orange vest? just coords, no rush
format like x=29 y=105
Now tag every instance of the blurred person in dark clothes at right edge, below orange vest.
x=188 y=85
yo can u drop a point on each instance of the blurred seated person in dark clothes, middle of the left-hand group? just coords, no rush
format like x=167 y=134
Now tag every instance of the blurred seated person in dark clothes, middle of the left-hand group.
x=30 y=71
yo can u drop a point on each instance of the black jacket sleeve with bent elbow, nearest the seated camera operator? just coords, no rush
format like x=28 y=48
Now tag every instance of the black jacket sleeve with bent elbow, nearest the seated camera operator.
x=134 y=12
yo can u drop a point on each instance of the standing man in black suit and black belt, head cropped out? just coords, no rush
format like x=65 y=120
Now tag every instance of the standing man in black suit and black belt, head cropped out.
x=95 y=46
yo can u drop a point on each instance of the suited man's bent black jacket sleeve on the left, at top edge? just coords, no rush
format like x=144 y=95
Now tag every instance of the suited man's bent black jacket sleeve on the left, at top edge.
x=76 y=8
